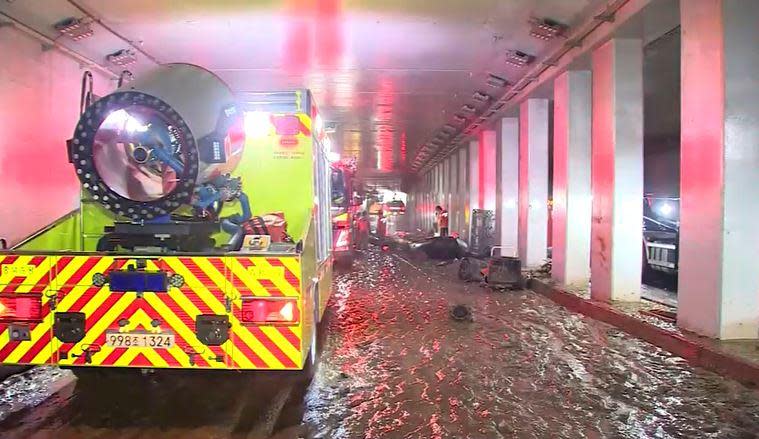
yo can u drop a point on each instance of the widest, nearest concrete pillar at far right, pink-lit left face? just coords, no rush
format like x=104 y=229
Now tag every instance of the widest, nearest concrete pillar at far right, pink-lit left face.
x=719 y=178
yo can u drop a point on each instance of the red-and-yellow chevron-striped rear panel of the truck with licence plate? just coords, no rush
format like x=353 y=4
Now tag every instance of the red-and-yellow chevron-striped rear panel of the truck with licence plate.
x=199 y=325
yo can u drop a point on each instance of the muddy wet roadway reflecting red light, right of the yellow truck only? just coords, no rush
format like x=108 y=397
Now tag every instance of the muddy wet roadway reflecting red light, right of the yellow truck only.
x=396 y=365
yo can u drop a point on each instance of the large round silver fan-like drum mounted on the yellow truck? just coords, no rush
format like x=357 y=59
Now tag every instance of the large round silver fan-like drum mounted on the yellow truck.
x=155 y=145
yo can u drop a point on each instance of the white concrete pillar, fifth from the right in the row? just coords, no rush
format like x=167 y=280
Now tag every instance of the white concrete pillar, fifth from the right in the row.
x=507 y=189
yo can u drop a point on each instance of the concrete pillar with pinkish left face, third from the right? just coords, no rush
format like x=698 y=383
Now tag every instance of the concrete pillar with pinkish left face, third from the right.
x=572 y=196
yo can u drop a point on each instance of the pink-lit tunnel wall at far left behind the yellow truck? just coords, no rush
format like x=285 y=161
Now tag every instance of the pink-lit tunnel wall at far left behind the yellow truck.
x=39 y=92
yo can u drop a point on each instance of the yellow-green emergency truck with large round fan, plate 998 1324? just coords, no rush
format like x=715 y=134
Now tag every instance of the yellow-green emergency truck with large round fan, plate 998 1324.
x=155 y=269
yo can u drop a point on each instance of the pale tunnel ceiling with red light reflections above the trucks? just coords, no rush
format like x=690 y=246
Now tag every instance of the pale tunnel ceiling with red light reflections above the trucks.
x=388 y=74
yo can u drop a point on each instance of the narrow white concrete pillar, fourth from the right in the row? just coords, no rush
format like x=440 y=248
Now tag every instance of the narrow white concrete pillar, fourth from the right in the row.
x=533 y=182
